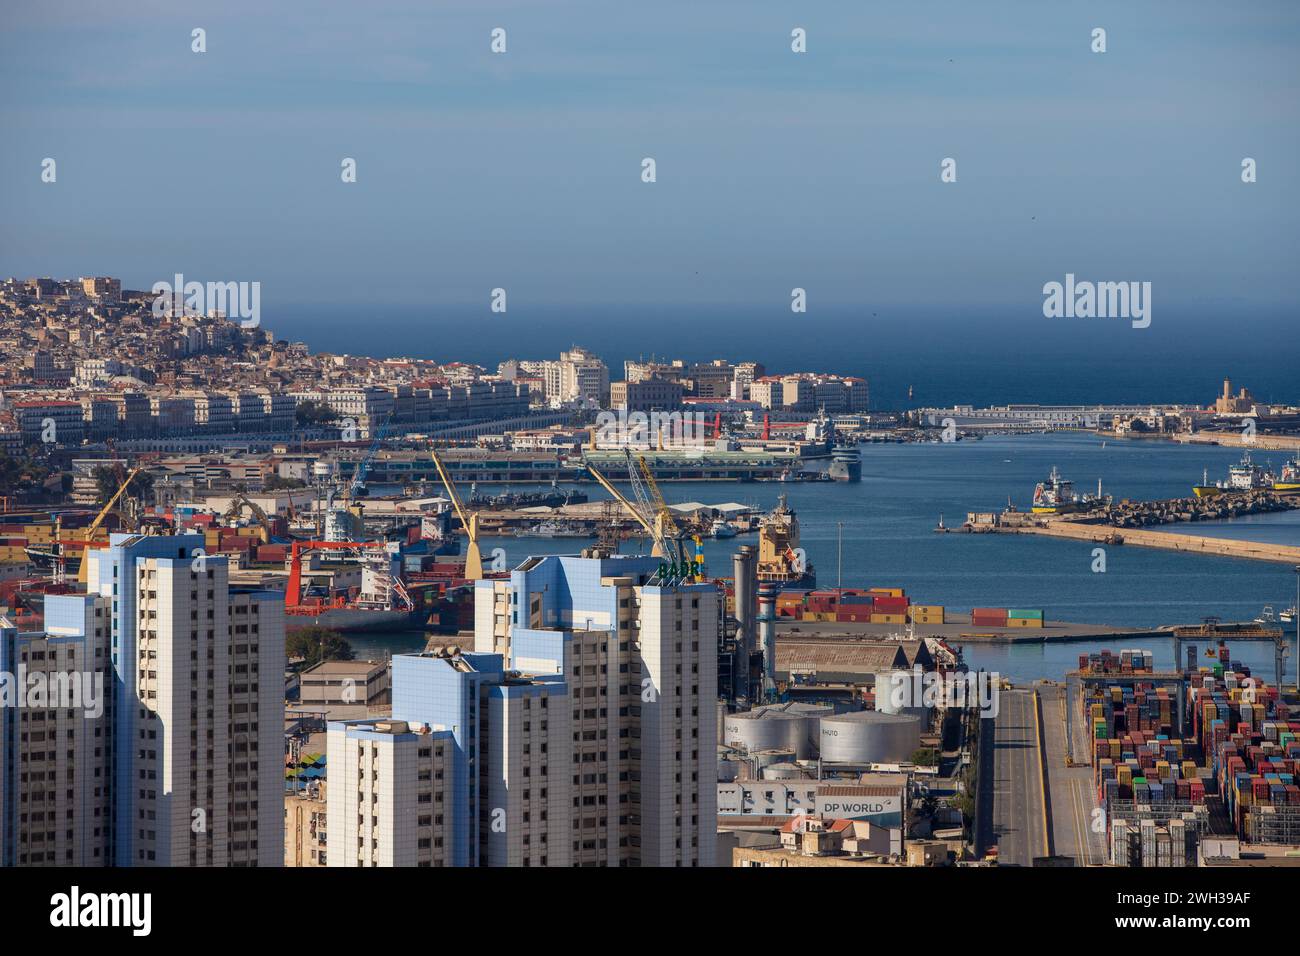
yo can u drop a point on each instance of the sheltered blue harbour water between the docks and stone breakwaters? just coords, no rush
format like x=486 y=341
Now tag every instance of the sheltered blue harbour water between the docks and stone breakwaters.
x=889 y=539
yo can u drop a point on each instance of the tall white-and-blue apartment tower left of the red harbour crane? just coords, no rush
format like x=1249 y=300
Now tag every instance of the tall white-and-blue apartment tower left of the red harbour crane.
x=197 y=755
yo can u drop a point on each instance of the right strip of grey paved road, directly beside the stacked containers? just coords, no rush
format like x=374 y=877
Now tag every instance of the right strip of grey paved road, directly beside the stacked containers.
x=1073 y=799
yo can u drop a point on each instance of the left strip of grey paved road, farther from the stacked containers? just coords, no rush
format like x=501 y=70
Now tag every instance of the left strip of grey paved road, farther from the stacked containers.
x=1019 y=811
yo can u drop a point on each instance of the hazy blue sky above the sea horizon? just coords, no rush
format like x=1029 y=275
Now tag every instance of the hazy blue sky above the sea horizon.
x=774 y=170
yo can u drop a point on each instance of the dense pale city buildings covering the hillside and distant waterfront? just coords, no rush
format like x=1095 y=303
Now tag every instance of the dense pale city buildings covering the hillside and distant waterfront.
x=101 y=364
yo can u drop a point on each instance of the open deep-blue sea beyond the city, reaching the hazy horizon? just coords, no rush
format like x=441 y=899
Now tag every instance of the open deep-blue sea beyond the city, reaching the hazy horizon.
x=990 y=358
